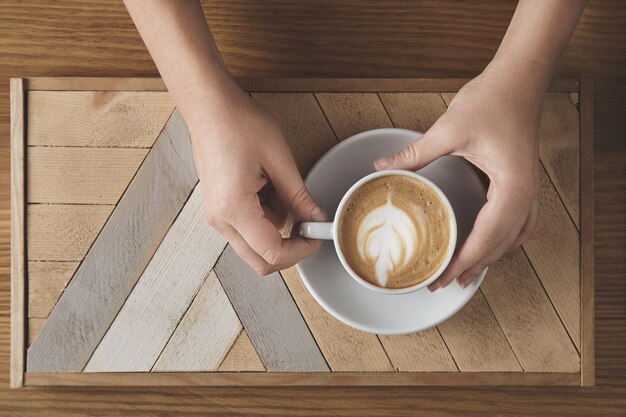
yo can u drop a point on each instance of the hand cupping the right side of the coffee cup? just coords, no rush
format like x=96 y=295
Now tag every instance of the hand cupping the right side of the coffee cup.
x=493 y=123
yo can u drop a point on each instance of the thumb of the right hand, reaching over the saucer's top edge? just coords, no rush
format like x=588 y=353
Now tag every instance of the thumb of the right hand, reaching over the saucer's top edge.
x=418 y=154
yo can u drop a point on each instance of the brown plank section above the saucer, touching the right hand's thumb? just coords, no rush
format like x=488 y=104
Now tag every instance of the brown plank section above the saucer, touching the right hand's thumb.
x=415 y=111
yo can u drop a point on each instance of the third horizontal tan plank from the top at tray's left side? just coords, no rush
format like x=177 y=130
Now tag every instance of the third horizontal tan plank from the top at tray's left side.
x=63 y=232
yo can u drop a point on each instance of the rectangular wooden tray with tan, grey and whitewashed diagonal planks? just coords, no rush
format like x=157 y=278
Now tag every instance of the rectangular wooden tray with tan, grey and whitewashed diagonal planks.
x=117 y=279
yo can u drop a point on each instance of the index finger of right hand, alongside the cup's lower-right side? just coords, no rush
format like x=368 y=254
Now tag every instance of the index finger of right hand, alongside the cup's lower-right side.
x=491 y=228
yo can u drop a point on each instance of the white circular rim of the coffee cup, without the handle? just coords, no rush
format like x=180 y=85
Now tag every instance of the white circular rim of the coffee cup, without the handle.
x=451 y=244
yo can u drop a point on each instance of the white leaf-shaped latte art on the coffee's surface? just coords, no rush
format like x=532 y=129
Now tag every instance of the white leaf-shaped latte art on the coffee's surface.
x=387 y=237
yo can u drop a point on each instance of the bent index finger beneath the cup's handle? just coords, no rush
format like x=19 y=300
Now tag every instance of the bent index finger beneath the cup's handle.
x=265 y=239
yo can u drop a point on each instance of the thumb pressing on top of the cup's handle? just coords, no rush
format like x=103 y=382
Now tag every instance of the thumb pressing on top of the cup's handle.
x=291 y=189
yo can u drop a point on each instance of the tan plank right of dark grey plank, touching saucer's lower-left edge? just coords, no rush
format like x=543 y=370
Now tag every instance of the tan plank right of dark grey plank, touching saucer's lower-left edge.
x=345 y=349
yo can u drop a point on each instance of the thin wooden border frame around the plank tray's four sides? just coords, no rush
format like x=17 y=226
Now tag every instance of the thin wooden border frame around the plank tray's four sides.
x=19 y=378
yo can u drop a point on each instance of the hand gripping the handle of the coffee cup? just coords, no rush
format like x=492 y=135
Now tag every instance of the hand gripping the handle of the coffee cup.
x=250 y=182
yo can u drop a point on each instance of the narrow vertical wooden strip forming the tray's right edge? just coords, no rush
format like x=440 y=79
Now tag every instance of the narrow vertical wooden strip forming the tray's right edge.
x=587 y=259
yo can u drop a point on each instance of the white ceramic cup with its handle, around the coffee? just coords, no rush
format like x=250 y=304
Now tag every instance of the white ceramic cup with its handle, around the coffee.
x=329 y=231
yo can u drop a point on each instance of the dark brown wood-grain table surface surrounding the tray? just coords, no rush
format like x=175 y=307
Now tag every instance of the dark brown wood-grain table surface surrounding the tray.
x=348 y=39
